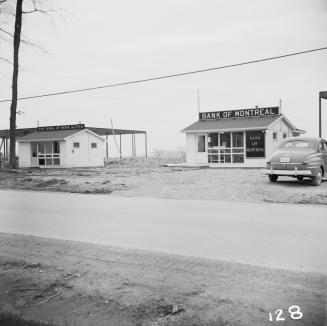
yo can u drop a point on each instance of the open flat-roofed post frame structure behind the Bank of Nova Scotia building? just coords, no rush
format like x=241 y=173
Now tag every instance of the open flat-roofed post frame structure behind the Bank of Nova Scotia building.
x=103 y=132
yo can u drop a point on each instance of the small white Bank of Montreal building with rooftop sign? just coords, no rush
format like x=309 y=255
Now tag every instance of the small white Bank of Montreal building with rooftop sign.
x=237 y=138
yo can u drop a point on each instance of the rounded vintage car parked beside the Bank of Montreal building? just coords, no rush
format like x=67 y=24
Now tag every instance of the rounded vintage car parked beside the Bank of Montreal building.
x=299 y=157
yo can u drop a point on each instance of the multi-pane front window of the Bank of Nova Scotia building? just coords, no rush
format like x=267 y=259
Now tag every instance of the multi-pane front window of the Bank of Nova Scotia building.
x=47 y=153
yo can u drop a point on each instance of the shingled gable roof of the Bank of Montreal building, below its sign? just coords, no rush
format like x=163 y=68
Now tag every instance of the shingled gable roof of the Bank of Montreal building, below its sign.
x=237 y=124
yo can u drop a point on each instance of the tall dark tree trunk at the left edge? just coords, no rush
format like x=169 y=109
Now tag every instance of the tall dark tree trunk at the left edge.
x=13 y=107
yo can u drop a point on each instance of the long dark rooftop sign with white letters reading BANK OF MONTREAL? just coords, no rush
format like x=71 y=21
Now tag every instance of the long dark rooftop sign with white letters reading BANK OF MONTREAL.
x=244 y=113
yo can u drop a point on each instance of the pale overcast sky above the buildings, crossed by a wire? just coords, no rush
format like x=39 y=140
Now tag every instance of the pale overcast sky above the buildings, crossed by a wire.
x=124 y=40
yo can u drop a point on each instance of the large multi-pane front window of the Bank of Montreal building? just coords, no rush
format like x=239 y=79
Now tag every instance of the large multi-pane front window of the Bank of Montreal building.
x=226 y=147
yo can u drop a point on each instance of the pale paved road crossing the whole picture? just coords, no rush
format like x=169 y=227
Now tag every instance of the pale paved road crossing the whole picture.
x=282 y=236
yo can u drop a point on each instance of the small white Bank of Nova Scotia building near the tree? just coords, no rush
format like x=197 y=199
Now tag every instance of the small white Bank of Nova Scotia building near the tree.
x=61 y=146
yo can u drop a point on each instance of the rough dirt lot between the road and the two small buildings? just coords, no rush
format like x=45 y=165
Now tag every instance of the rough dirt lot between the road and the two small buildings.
x=148 y=177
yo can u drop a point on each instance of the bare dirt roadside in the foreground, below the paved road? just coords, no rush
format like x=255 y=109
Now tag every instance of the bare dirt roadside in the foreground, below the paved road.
x=68 y=282
